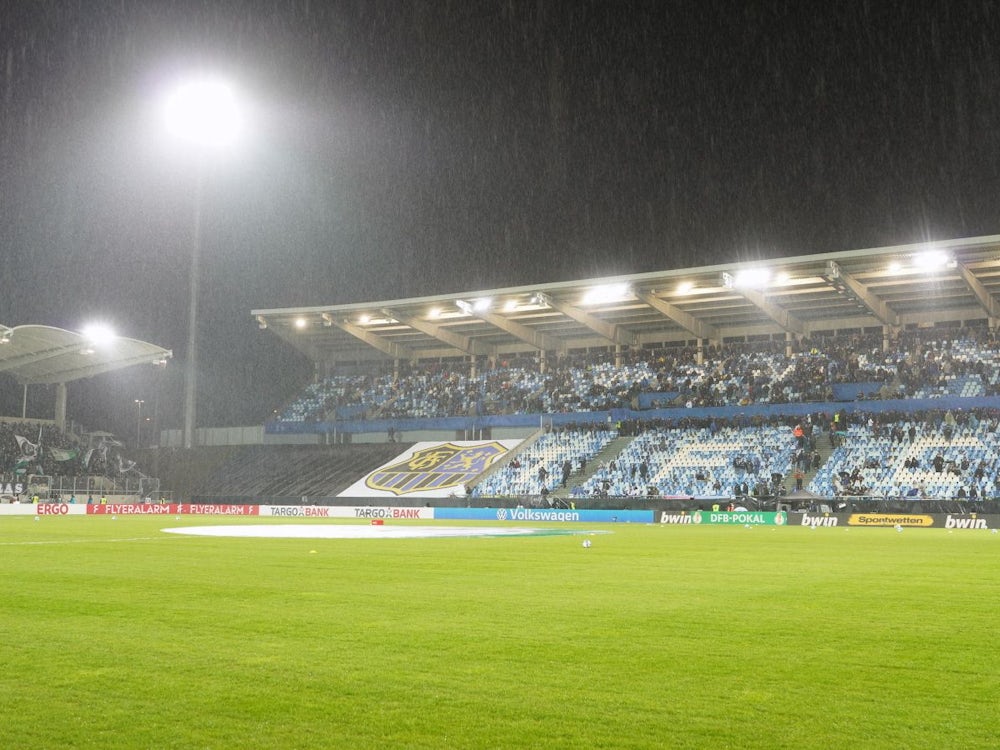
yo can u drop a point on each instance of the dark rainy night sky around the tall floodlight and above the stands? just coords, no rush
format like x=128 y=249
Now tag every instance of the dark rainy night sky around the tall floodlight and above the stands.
x=414 y=148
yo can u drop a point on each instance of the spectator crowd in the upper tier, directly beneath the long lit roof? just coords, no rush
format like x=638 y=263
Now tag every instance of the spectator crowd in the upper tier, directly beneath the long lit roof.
x=922 y=363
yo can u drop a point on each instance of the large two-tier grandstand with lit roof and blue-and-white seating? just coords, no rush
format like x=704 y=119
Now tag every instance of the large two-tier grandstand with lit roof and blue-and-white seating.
x=681 y=386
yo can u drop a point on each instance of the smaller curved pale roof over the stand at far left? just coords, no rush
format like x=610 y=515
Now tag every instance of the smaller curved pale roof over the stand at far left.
x=35 y=354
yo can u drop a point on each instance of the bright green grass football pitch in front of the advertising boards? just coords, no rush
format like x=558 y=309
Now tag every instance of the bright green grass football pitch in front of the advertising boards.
x=118 y=635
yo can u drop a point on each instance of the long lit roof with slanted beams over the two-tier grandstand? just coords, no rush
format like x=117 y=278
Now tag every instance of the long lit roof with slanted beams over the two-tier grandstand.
x=951 y=281
